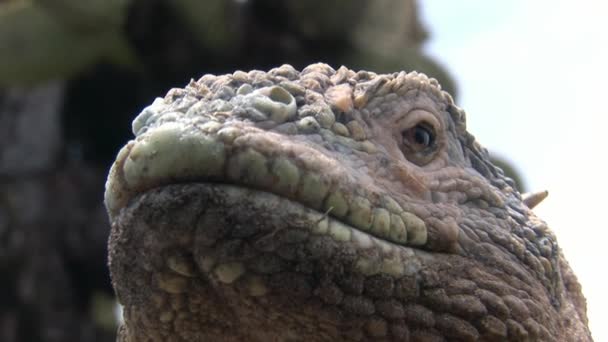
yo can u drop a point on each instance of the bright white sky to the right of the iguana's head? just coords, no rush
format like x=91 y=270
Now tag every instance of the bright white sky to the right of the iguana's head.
x=532 y=77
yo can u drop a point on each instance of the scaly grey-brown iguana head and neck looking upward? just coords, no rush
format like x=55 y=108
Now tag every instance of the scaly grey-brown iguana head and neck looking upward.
x=326 y=205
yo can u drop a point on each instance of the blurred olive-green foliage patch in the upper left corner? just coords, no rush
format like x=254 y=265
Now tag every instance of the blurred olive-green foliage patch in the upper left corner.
x=48 y=39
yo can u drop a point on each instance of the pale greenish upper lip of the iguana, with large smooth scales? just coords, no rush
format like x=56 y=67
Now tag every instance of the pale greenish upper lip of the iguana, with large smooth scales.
x=176 y=154
